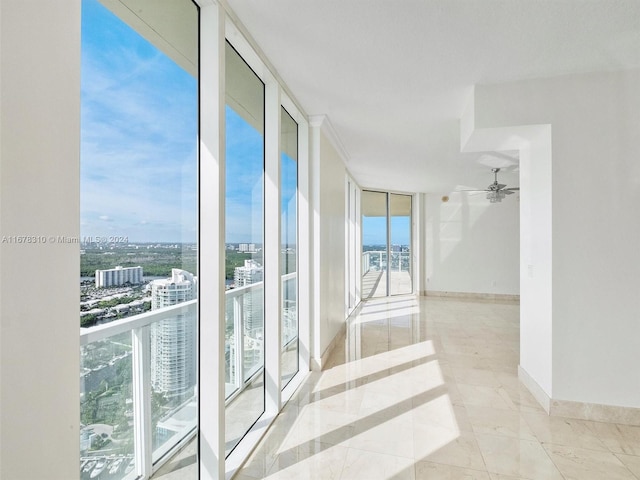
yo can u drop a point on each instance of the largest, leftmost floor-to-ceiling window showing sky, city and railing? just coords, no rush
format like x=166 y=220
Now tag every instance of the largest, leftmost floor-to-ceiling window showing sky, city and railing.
x=138 y=278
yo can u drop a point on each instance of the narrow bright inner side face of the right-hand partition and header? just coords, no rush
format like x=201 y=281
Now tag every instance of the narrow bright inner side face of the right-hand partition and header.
x=534 y=145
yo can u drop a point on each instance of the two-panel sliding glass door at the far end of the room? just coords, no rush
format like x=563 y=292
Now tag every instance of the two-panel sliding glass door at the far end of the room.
x=386 y=244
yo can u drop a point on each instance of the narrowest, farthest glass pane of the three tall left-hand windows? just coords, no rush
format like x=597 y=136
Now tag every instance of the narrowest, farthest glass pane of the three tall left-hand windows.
x=289 y=240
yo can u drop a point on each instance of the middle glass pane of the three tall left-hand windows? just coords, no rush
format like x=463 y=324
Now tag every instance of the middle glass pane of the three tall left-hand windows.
x=244 y=340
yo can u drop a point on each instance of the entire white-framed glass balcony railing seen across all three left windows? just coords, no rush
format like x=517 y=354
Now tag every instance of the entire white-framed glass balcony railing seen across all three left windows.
x=138 y=392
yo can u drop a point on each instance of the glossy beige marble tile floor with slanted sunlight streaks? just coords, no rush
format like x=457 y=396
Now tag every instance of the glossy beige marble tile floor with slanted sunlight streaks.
x=427 y=388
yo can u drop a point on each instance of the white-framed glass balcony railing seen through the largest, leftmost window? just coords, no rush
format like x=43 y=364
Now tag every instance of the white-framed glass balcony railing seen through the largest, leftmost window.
x=137 y=391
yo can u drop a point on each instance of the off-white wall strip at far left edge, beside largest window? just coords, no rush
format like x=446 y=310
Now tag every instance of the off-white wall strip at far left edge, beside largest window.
x=39 y=195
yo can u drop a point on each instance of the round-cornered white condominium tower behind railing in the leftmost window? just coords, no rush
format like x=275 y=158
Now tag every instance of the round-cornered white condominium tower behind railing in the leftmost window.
x=173 y=341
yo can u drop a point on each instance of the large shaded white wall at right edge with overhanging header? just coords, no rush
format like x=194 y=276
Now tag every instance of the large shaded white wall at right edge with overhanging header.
x=595 y=181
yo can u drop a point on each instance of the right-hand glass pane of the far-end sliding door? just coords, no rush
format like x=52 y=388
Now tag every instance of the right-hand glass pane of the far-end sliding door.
x=400 y=248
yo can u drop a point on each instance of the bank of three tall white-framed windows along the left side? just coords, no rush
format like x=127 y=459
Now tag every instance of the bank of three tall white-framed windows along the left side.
x=140 y=166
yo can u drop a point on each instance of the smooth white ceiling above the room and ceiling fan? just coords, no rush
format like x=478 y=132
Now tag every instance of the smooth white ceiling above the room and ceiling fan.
x=393 y=77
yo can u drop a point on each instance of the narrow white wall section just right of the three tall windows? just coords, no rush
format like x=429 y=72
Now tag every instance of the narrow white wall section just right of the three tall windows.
x=328 y=185
